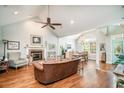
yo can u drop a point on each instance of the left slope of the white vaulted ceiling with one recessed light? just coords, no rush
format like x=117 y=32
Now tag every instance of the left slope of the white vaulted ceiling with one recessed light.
x=25 y=12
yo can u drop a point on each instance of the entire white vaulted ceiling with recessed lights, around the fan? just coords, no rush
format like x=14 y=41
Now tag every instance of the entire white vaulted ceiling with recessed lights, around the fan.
x=84 y=17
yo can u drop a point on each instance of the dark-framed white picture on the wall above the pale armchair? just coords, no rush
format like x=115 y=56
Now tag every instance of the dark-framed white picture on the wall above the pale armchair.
x=13 y=45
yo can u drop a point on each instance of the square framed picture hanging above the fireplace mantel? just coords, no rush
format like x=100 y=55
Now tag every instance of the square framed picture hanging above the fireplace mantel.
x=36 y=40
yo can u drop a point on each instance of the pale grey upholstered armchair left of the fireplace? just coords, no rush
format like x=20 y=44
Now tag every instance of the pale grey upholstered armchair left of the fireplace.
x=15 y=60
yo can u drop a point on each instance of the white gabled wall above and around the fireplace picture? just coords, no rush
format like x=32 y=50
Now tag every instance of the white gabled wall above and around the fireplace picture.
x=21 y=32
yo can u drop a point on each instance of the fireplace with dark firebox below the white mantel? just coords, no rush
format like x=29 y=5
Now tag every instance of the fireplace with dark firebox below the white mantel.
x=36 y=54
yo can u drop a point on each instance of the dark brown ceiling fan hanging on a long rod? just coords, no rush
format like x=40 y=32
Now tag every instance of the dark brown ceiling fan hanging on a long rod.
x=49 y=23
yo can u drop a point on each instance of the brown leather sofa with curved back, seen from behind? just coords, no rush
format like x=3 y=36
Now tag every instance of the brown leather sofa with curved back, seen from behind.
x=49 y=72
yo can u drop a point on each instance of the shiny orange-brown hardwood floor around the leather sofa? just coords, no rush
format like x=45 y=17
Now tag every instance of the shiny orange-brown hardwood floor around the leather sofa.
x=88 y=78
